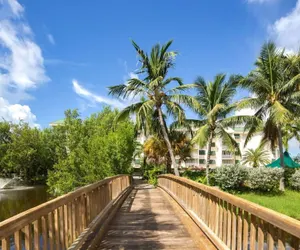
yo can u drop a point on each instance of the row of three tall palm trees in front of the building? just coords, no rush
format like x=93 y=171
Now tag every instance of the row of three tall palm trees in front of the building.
x=274 y=84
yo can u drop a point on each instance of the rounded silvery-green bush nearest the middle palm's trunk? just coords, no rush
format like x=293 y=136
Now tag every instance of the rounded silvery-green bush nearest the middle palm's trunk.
x=230 y=177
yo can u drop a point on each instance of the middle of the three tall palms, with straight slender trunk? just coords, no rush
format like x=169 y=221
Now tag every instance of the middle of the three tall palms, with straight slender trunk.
x=213 y=106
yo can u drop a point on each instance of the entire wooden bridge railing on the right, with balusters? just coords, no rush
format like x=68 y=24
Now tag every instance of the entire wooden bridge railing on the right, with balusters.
x=231 y=222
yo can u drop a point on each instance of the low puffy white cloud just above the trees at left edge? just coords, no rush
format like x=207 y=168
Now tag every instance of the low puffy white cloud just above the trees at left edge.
x=16 y=113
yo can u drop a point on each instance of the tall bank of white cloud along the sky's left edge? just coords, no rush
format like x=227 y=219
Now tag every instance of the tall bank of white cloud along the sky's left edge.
x=21 y=63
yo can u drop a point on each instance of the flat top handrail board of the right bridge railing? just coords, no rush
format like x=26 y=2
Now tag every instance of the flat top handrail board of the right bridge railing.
x=286 y=223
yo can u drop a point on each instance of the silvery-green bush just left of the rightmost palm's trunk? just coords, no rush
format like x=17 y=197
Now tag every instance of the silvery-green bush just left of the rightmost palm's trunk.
x=265 y=179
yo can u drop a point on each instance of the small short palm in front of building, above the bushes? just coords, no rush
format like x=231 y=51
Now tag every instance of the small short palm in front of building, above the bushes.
x=256 y=157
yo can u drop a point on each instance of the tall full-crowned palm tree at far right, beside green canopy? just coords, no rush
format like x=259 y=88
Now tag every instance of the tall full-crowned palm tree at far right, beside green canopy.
x=275 y=84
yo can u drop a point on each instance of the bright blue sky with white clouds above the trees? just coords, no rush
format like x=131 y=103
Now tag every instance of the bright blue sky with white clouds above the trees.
x=56 y=55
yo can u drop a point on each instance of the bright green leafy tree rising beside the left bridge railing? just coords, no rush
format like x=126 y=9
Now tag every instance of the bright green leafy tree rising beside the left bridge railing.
x=91 y=150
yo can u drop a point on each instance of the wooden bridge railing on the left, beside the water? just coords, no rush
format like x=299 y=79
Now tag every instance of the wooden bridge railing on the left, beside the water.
x=57 y=224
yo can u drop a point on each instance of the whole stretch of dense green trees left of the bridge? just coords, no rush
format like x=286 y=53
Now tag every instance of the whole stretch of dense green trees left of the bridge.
x=70 y=155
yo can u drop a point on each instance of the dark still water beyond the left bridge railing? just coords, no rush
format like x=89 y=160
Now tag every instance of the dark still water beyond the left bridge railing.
x=19 y=199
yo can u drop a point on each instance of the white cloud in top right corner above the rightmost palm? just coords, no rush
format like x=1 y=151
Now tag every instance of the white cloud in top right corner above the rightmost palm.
x=285 y=31
